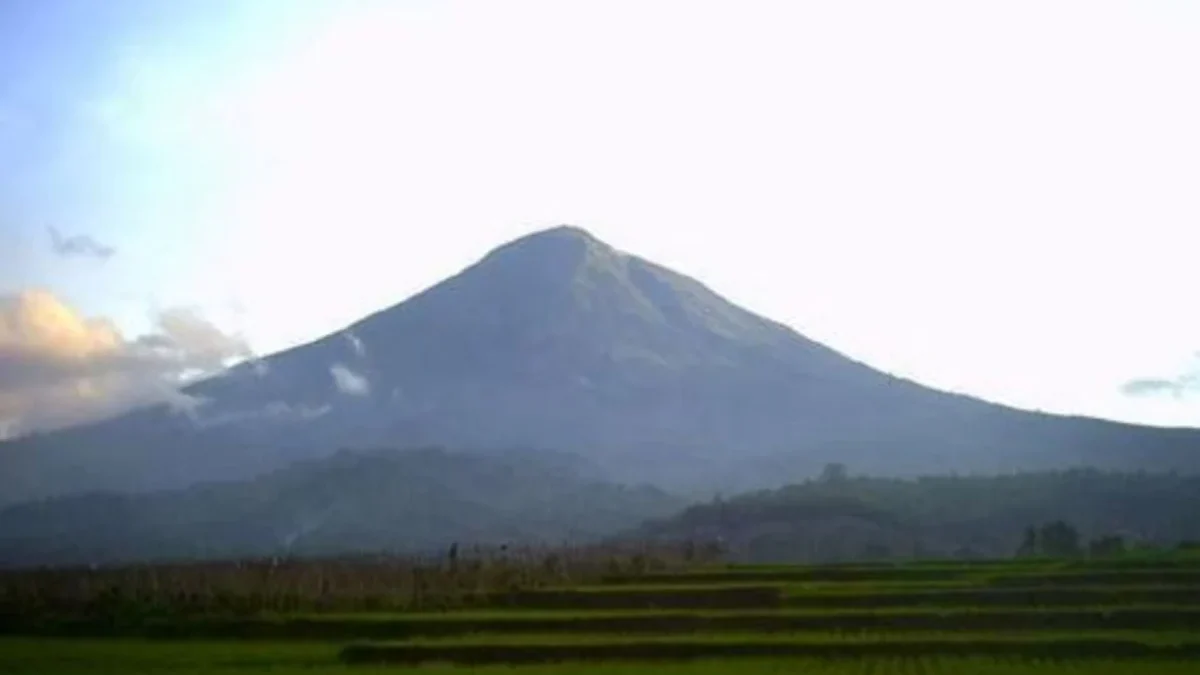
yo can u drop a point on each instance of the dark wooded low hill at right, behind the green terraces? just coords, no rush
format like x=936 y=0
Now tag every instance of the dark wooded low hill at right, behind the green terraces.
x=867 y=518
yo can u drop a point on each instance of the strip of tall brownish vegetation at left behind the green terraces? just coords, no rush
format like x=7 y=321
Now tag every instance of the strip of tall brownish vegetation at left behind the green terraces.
x=355 y=584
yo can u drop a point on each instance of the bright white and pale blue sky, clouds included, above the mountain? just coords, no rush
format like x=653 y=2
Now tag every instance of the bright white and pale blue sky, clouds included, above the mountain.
x=999 y=199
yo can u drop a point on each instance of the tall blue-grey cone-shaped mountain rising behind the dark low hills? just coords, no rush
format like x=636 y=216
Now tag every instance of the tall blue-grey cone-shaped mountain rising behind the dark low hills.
x=559 y=342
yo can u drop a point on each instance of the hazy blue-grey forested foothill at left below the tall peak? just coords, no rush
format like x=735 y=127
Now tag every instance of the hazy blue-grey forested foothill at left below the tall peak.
x=416 y=501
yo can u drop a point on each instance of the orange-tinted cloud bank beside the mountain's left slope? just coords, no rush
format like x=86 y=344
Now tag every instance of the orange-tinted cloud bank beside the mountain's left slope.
x=59 y=368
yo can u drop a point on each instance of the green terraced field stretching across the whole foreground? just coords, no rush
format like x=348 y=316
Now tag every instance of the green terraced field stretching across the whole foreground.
x=1019 y=617
